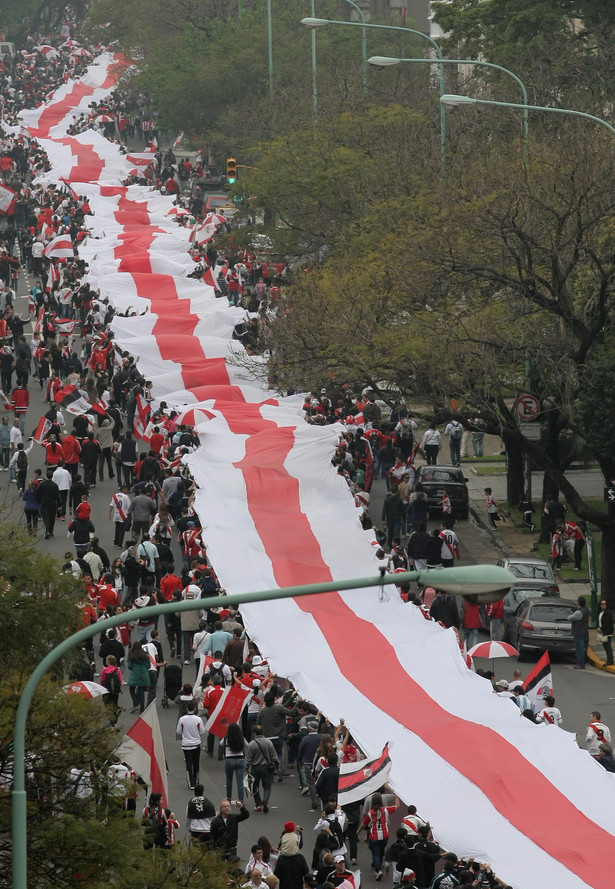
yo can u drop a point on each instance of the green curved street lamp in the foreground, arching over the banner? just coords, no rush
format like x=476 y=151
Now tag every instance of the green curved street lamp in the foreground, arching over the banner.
x=477 y=583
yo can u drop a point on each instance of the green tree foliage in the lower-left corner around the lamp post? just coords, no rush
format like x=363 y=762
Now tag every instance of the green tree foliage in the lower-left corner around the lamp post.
x=72 y=840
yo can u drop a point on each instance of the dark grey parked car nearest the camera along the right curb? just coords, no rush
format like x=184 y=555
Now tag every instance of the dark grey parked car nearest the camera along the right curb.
x=542 y=624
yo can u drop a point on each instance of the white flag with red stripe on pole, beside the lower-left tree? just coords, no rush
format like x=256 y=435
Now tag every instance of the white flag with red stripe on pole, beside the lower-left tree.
x=143 y=751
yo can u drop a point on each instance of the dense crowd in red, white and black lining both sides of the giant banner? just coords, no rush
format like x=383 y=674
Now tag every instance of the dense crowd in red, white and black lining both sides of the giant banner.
x=70 y=355
